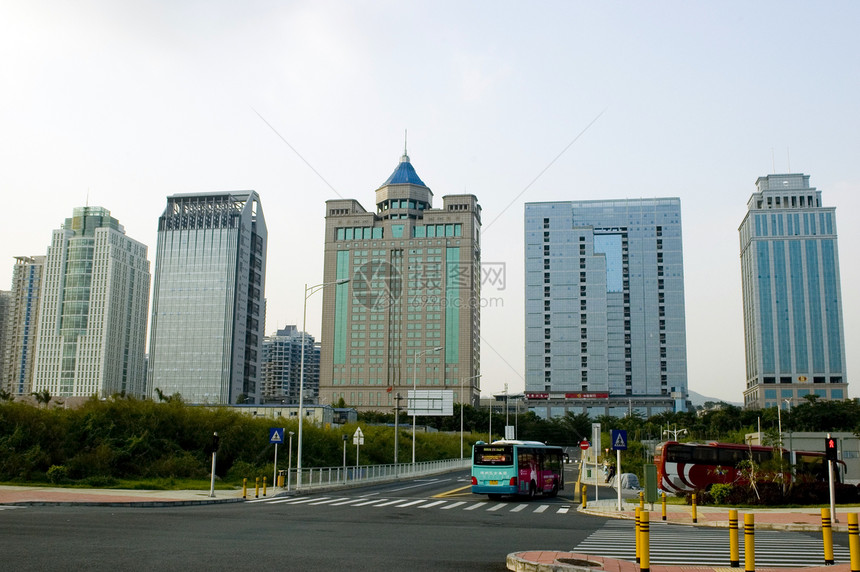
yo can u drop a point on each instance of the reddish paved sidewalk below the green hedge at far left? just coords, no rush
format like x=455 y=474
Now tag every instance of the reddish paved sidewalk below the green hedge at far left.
x=41 y=496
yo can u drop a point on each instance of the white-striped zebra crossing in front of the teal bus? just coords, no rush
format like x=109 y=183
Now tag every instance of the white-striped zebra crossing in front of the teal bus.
x=417 y=504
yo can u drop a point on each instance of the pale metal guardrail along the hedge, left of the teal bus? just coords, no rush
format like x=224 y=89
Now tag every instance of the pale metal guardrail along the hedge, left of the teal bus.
x=319 y=477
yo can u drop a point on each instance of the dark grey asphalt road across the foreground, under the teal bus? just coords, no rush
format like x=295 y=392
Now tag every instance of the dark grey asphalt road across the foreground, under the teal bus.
x=316 y=534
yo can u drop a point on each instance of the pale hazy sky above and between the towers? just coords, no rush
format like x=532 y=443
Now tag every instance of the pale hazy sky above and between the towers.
x=121 y=104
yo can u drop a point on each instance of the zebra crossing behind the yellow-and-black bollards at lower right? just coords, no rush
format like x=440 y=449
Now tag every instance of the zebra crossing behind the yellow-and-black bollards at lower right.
x=679 y=544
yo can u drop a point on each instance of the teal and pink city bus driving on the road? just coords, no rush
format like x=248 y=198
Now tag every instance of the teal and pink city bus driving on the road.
x=517 y=468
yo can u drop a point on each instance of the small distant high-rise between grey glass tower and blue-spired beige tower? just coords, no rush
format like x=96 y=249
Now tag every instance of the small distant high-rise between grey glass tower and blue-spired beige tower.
x=282 y=355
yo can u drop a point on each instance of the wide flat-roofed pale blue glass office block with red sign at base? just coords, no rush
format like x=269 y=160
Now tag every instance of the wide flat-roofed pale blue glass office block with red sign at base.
x=604 y=316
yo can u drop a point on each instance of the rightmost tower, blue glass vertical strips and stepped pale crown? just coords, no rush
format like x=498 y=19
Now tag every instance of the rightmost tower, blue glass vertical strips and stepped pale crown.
x=792 y=295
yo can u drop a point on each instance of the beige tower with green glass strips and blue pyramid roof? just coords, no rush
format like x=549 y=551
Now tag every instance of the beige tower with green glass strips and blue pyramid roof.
x=414 y=286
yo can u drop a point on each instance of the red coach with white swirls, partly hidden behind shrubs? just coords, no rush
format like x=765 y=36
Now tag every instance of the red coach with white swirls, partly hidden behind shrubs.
x=688 y=467
